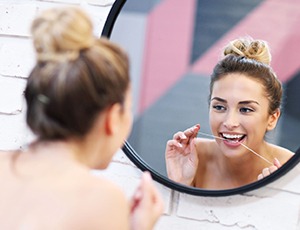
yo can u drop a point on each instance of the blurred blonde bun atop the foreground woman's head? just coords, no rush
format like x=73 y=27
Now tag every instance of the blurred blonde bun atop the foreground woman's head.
x=56 y=41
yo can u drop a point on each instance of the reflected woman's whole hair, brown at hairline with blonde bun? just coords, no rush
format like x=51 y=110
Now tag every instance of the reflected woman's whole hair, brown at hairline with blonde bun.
x=251 y=58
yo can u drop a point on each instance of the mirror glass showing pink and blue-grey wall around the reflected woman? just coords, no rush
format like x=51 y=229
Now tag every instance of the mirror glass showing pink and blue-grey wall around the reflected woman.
x=174 y=45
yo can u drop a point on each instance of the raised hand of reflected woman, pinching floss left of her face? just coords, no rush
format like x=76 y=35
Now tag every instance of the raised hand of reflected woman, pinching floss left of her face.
x=181 y=156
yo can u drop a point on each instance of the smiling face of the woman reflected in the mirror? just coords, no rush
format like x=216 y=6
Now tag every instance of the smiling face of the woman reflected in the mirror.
x=239 y=113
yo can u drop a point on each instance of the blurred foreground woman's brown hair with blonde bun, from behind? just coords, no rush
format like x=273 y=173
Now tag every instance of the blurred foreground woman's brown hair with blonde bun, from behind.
x=76 y=77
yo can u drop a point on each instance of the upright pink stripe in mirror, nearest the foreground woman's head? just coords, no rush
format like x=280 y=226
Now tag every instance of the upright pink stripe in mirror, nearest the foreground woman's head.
x=167 y=50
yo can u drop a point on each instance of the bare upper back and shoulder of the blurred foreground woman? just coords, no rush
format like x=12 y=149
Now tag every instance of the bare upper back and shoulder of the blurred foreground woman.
x=81 y=199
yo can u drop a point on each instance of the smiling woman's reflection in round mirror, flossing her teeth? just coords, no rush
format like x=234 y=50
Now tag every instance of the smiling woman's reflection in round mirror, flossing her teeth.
x=244 y=104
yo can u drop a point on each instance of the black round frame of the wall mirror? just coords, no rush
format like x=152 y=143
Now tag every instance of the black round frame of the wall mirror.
x=141 y=164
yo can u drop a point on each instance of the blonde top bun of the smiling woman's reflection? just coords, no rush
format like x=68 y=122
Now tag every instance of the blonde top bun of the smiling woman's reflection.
x=250 y=48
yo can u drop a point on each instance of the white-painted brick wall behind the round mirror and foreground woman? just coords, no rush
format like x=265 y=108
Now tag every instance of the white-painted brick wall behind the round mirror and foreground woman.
x=273 y=207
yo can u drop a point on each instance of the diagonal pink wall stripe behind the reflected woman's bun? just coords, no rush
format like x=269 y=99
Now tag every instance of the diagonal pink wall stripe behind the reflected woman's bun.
x=275 y=21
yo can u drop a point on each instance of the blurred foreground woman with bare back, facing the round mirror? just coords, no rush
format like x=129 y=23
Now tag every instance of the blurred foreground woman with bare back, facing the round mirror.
x=79 y=107
